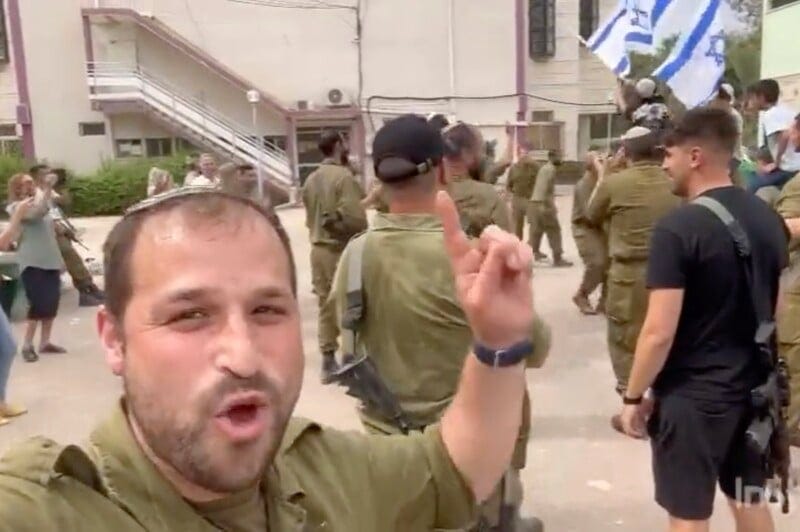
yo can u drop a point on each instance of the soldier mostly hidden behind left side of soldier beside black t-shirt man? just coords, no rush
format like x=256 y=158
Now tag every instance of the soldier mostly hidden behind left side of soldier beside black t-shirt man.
x=589 y=240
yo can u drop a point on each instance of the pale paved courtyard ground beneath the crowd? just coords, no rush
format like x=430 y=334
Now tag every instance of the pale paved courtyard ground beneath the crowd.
x=581 y=476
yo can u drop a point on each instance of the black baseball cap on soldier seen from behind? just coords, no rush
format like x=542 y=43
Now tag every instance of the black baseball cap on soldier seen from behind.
x=406 y=147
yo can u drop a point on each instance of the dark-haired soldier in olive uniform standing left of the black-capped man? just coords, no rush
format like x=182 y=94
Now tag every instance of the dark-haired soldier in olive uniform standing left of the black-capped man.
x=332 y=198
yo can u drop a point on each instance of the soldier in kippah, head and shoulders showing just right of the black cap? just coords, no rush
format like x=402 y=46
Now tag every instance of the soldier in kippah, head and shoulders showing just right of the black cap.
x=479 y=204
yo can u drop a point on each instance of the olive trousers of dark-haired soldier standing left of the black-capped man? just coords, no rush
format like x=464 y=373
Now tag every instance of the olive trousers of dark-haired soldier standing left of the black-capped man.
x=324 y=259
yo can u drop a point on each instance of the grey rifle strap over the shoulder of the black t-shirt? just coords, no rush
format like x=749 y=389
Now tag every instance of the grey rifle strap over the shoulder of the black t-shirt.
x=761 y=305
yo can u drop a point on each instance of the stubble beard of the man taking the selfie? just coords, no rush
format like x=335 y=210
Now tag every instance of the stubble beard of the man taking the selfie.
x=191 y=448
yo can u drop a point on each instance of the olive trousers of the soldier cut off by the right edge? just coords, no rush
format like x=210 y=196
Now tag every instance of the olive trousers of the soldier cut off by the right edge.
x=789 y=348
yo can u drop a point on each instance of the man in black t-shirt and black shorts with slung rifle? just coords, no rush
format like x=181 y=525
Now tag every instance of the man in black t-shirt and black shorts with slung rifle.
x=696 y=349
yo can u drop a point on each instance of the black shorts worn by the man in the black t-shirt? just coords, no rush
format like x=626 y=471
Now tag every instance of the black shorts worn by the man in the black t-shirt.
x=697 y=444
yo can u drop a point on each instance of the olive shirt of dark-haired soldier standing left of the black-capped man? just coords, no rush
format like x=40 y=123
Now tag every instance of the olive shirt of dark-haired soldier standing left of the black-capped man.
x=332 y=198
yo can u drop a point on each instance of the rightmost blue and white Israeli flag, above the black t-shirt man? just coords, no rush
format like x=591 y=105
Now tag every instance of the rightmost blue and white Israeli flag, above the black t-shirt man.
x=697 y=63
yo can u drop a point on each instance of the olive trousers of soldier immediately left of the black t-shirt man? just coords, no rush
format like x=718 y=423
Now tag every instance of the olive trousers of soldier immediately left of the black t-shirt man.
x=626 y=306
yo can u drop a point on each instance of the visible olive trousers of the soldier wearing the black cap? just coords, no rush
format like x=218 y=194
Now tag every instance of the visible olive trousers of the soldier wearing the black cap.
x=490 y=510
